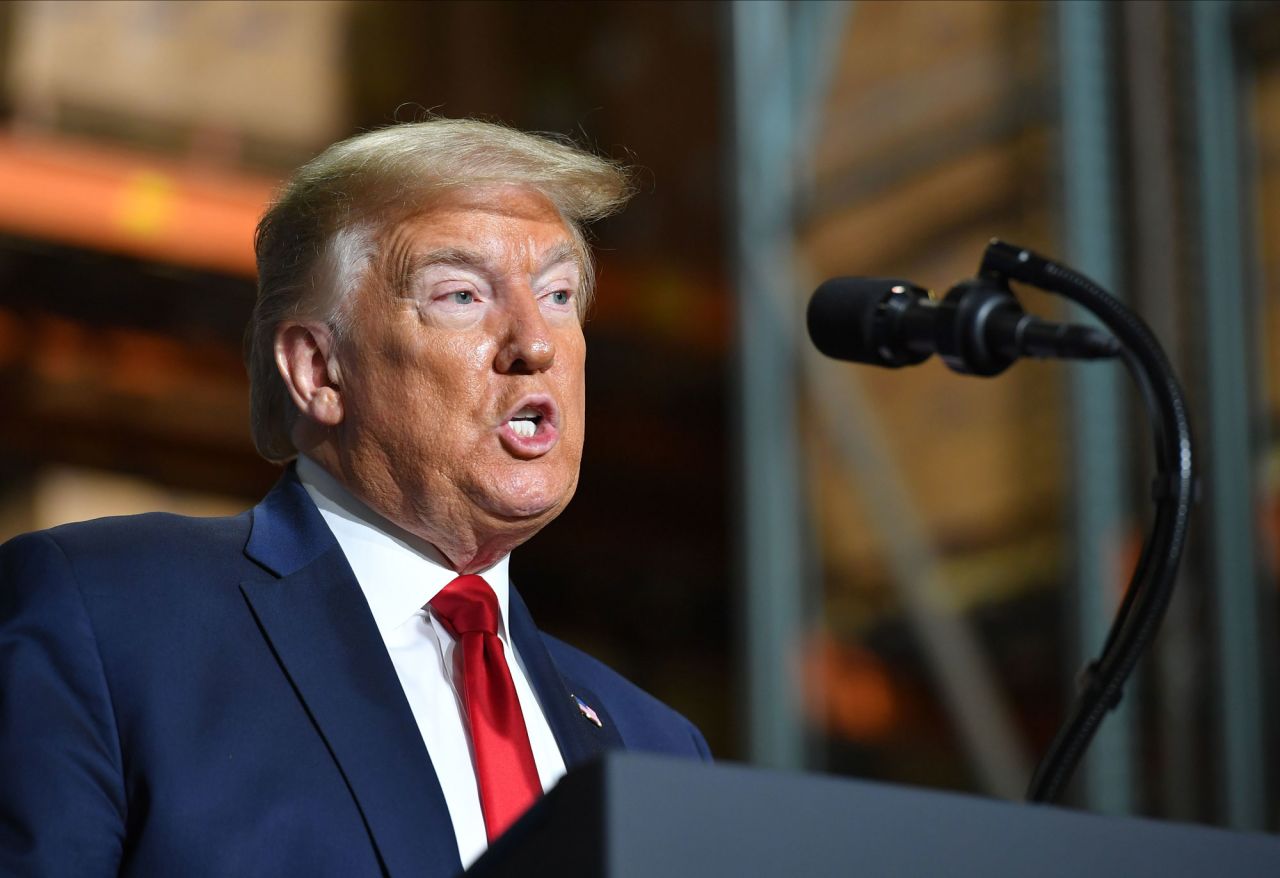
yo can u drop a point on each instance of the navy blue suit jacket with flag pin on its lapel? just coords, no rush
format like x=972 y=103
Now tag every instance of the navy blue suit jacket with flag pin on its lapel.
x=211 y=697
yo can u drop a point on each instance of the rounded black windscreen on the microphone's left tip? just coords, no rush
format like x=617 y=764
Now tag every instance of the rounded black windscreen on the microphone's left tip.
x=843 y=317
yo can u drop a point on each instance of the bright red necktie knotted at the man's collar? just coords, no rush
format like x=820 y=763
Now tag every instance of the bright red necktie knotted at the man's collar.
x=505 y=761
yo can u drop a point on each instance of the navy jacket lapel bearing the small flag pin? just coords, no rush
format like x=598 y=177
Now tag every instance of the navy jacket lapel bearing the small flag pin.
x=580 y=740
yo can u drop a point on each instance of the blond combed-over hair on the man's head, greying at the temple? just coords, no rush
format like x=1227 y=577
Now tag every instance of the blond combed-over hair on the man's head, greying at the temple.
x=317 y=243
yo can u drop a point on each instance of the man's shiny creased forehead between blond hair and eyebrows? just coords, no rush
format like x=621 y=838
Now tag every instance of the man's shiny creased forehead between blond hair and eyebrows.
x=501 y=223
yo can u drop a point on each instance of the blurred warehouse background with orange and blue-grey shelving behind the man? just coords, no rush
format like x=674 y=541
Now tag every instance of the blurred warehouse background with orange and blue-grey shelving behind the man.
x=888 y=575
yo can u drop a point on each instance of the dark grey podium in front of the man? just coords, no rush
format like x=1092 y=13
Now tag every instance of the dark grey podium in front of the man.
x=638 y=816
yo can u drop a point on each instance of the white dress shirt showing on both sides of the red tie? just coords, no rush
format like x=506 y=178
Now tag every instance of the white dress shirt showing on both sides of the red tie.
x=400 y=574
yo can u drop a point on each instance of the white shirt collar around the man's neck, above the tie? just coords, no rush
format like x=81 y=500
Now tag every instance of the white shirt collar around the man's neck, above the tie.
x=397 y=571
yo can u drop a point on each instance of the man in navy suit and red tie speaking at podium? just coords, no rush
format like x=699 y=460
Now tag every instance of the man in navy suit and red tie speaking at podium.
x=340 y=682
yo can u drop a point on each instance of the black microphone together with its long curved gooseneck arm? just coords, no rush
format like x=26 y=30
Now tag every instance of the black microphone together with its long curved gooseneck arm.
x=980 y=330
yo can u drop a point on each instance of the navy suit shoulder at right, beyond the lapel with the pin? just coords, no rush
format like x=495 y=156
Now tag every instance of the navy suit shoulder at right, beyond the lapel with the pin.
x=646 y=722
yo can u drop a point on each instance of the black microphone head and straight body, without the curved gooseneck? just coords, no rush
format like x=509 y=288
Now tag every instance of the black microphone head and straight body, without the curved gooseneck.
x=977 y=330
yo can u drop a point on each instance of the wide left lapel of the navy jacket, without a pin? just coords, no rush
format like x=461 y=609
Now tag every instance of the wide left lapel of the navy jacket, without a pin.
x=324 y=637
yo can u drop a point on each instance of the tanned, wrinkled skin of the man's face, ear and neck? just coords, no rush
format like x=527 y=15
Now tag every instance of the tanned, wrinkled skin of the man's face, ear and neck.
x=468 y=313
